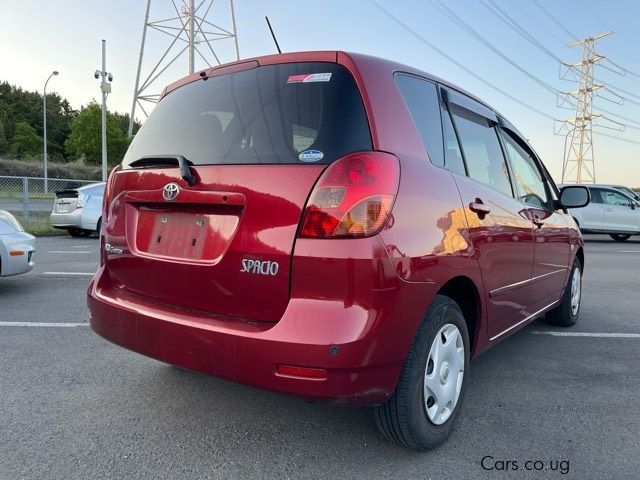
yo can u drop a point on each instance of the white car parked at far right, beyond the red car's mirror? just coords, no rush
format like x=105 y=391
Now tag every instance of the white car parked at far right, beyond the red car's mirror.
x=611 y=212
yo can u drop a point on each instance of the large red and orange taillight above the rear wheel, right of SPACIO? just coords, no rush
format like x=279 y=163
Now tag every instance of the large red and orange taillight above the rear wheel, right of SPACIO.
x=353 y=197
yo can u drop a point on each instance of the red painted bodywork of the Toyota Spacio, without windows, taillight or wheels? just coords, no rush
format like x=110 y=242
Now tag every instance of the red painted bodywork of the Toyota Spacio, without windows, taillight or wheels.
x=337 y=319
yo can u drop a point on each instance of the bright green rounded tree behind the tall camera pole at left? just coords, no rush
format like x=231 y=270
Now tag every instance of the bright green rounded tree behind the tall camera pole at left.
x=85 y=139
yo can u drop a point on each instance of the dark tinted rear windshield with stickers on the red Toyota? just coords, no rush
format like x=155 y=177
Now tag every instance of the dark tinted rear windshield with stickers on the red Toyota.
x=287 y=113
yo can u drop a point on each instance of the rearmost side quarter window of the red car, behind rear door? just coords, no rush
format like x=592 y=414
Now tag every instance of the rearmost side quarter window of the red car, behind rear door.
x=421 y=98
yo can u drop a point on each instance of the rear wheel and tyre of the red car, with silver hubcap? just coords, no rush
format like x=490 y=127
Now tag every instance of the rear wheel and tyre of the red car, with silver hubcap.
x=410 y=419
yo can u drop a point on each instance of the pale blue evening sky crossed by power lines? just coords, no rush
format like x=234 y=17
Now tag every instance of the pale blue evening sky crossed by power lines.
x=39 y=36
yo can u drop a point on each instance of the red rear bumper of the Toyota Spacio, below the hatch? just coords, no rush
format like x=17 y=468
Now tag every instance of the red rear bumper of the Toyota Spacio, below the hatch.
x=361 y=349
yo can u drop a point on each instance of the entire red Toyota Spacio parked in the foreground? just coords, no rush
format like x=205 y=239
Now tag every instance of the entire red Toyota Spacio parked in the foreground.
x=334 y=226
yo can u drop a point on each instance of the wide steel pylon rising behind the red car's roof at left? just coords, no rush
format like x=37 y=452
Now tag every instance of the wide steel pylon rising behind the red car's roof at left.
x=192 y=31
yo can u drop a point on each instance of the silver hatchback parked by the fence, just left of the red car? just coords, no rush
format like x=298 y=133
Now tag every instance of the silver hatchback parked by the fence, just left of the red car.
x=78 y=210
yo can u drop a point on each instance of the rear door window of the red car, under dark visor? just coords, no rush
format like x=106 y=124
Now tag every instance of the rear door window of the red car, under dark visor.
x=482 y=151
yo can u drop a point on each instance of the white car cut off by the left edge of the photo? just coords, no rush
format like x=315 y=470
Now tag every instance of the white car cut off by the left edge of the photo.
x=17 y=247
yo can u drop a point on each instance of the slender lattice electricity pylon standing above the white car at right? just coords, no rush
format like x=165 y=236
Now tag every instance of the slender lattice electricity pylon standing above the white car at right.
x=579 y=158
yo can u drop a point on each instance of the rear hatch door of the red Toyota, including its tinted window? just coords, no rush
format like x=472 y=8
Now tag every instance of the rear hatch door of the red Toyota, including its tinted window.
x=257 y=140
